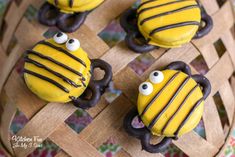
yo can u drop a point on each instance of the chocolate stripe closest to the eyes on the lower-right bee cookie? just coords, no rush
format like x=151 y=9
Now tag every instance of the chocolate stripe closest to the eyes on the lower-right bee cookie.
x=159 y=93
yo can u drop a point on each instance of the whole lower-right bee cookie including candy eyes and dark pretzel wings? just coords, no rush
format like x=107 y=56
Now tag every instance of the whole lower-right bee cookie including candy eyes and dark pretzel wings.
x=170 y=104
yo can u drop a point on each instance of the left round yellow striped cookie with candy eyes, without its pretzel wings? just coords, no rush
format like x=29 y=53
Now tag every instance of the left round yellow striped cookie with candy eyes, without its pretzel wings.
x=55 y=71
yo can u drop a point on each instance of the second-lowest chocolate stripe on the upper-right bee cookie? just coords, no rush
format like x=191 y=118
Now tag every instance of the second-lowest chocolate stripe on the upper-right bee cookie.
x=168 y=13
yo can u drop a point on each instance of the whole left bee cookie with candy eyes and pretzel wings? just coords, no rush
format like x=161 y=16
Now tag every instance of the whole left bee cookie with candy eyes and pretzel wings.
x=59 y=70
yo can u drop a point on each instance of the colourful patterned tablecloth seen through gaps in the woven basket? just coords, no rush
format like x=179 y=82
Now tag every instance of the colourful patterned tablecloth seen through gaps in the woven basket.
x=80 y=119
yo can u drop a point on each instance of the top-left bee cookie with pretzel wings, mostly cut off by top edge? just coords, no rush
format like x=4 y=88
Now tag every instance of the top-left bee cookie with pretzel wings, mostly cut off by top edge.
x=67 y=15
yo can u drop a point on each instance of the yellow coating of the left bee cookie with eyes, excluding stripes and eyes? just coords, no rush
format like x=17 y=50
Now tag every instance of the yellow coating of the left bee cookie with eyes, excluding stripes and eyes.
x=48 y=91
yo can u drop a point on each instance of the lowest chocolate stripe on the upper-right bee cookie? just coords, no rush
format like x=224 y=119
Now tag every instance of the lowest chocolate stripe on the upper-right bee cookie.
x=174 y=26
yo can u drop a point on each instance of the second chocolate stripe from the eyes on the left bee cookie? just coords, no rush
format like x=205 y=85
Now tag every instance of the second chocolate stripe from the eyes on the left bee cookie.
x=32 y=52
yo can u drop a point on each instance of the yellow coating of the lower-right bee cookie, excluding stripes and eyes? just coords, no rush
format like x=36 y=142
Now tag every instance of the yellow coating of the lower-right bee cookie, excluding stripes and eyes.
x=164 y=98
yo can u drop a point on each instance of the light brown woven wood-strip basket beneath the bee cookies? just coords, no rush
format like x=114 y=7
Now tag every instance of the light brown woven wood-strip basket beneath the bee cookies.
x=47 y=121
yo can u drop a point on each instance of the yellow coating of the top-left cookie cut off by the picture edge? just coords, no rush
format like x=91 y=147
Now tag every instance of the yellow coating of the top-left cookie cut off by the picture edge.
x=78 y=5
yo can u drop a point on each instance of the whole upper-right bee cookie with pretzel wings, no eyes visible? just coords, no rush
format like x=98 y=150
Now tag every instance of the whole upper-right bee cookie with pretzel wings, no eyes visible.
x=164 y=23
